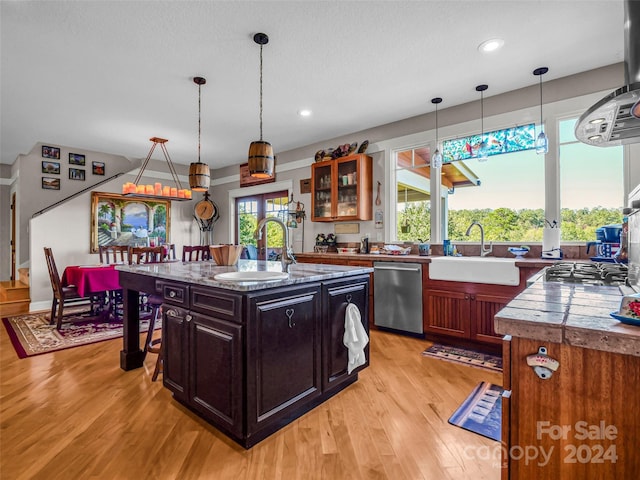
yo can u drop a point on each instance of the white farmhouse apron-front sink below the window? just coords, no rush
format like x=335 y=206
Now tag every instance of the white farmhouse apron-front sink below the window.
x=497 y=271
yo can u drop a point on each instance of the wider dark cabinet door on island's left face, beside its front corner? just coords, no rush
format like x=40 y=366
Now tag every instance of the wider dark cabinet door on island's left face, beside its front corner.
x=216 y=371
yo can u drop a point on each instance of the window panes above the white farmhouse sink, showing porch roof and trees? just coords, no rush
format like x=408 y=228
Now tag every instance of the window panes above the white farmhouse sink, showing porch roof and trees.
x=504 y=193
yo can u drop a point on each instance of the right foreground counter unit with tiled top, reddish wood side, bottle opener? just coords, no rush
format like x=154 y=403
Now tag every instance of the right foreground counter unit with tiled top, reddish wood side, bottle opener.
x=581 y=420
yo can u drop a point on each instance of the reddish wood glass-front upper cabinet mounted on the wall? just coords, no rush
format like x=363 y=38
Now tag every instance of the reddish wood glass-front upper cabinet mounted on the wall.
x=342 y=189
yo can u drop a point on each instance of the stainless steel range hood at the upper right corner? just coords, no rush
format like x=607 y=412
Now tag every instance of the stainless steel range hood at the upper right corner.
x=615 y=120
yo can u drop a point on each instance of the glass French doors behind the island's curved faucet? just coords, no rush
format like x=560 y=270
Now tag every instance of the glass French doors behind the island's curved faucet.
x=252 y=209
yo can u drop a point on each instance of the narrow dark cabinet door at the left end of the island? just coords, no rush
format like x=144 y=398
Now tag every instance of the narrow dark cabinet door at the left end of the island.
x=174 y=344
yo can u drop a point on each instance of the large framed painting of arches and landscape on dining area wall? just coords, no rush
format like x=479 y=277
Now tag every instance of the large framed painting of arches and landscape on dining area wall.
x=120 y=220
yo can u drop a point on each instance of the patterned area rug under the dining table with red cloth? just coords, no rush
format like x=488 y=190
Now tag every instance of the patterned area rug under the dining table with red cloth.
x=31 y=334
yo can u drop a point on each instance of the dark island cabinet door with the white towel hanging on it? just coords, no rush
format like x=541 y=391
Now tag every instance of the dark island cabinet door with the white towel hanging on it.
x=337 y=295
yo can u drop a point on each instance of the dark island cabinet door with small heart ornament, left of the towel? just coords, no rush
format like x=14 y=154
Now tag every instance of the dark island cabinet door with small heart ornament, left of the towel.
x=283 y=354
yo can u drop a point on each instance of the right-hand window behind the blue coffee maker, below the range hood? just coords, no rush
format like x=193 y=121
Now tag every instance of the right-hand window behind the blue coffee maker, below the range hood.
x=591 y=187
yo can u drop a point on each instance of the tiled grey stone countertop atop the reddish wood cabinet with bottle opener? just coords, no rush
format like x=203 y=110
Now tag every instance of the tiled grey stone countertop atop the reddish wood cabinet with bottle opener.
x=573 y=314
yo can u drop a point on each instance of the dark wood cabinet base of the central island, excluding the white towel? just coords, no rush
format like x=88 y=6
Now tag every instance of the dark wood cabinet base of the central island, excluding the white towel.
x=250 y=363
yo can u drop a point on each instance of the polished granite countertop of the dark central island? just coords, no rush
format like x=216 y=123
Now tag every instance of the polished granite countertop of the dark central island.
x=203 y=273
